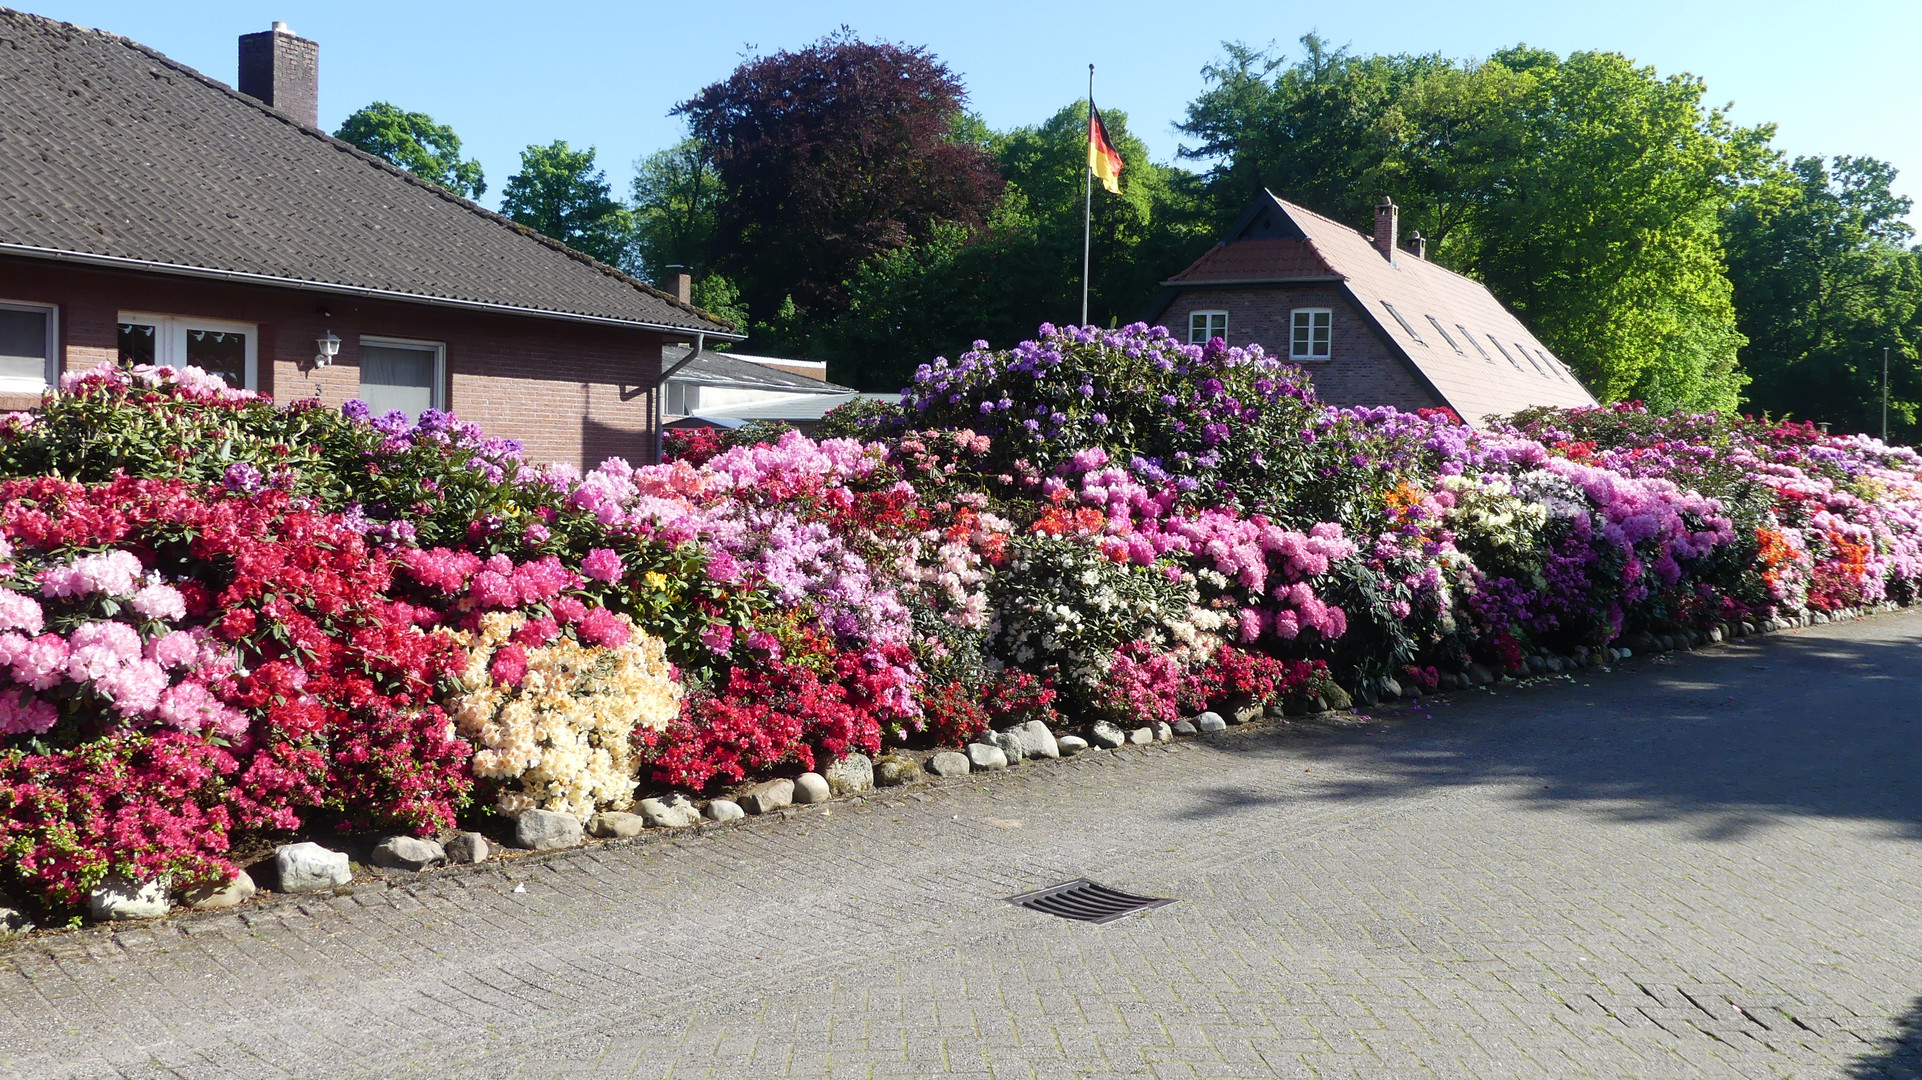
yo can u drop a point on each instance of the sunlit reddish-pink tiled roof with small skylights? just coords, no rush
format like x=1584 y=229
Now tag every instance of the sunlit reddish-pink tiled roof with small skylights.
x=1498 y=370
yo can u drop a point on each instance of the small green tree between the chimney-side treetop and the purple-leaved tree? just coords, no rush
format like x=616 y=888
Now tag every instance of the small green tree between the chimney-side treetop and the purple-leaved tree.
x=560 y=193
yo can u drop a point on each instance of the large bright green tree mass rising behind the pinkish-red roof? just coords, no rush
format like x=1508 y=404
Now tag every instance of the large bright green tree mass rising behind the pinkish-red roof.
x=1587 y=191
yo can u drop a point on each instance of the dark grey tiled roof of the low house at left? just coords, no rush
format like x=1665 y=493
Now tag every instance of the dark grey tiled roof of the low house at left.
x=112 y=153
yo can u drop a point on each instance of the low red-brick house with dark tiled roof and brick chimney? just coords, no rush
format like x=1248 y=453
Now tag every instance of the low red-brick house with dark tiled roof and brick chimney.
x=153 y=214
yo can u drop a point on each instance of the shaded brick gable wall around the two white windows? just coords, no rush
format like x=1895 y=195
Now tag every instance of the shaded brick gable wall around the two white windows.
x=1362 y=370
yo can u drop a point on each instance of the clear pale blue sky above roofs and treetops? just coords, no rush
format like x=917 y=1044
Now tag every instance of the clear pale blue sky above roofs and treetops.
x=1838 y=78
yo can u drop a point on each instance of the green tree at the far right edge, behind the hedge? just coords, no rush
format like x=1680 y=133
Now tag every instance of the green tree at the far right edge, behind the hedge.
x=1825 y=282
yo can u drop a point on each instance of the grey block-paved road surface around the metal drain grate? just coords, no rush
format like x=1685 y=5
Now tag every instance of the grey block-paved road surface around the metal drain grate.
x=1704 y=870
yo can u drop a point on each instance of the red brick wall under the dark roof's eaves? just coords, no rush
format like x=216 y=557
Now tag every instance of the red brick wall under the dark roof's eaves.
x=572 y=393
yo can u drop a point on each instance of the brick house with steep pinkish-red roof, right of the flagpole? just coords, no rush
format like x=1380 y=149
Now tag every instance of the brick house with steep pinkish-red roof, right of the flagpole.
x=1373 y=322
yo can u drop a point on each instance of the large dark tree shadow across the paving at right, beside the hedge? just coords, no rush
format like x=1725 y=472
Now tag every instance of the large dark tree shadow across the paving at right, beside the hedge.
x=1725 y=741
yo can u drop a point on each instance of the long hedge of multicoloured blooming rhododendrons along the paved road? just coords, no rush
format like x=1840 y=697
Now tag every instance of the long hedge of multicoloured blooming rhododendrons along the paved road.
x=228 y=618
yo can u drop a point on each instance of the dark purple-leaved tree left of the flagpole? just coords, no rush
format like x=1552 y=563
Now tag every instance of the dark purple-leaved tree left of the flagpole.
x=831 y=157
